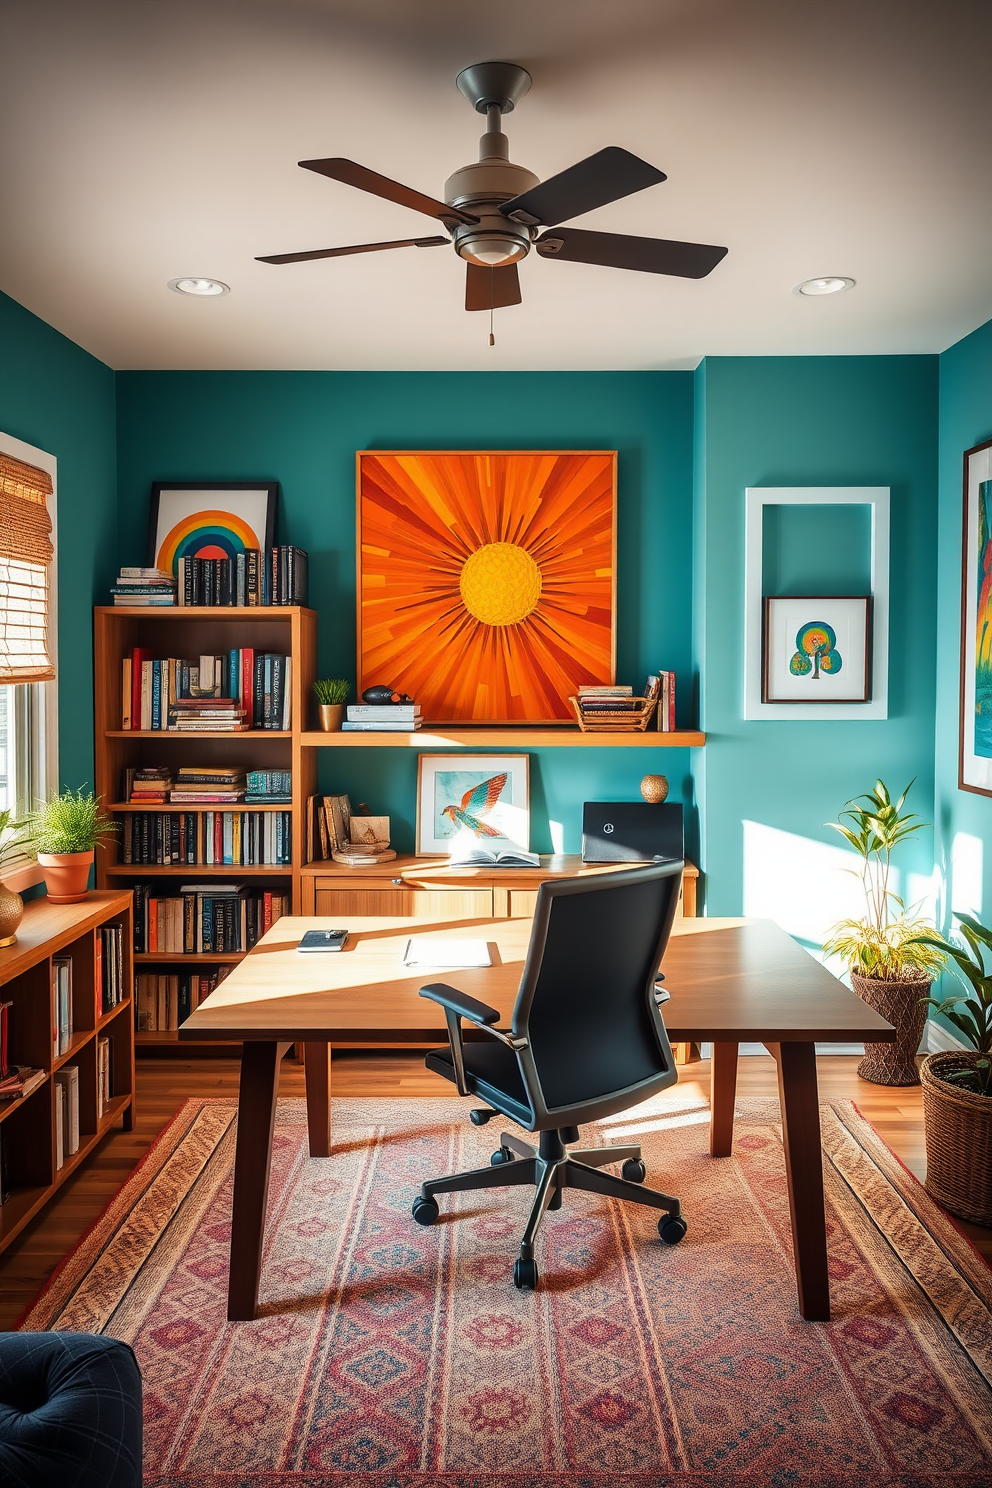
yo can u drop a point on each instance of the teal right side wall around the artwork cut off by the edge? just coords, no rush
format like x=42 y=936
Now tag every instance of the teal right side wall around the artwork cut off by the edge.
x=964 y=821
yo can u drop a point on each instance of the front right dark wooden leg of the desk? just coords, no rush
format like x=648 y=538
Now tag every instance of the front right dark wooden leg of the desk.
x=804 y=1169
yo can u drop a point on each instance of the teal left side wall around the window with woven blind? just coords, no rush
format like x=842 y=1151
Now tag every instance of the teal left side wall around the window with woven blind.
x=59 y=398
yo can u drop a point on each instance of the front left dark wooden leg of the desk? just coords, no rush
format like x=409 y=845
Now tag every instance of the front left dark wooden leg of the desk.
x=254 y=1155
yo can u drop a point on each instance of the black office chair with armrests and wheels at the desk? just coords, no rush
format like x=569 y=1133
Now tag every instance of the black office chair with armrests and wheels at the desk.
x=587 y=1041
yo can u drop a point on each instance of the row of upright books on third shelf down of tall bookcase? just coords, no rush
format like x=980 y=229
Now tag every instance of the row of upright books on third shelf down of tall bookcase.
x=210 y=837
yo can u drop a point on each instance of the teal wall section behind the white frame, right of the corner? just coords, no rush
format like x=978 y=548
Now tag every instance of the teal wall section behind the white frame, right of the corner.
x=810 y=422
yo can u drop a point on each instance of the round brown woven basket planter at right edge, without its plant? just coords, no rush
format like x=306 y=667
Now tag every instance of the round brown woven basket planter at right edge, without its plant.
x=959 y=1129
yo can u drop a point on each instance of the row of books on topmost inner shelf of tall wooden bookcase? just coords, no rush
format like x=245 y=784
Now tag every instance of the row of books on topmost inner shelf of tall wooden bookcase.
x=236 y=691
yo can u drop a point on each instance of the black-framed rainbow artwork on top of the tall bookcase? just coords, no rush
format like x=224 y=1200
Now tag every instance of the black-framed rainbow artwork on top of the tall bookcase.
x=197 y=520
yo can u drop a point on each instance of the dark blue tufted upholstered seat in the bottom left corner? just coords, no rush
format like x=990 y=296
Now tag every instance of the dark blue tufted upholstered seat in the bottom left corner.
x=71 y=1413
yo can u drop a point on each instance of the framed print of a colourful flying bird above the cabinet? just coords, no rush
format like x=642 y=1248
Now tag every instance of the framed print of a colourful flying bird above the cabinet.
x=474 y=800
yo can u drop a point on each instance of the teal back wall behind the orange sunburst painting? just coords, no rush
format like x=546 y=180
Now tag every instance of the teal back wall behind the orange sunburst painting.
x=304 y=428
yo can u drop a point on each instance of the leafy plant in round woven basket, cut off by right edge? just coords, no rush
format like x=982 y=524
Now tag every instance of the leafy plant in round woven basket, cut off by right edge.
x=959 y=1084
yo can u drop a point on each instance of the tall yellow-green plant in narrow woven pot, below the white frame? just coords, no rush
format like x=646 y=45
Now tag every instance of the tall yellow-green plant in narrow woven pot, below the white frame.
x=892 y=958
